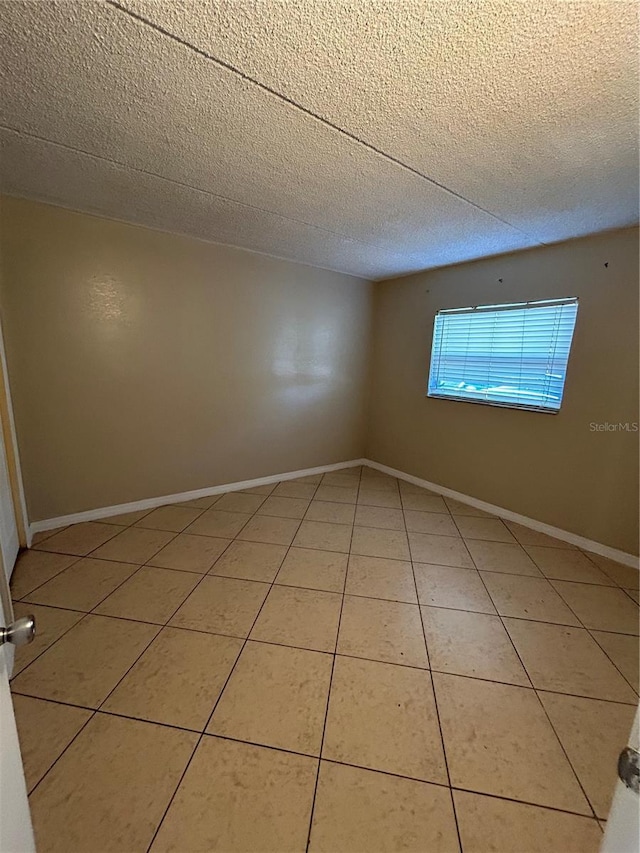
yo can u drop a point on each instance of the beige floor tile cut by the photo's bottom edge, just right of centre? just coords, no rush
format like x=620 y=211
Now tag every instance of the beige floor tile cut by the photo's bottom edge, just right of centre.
x=361 y=810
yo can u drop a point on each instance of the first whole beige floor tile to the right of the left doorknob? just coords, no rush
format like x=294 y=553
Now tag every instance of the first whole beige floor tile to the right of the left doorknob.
x=87 y=662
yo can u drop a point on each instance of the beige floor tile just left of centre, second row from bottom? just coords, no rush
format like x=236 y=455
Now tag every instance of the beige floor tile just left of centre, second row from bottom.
x=276 y=696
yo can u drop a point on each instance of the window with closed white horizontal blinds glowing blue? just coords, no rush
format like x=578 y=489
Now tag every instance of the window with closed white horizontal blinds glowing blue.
x=506 y=355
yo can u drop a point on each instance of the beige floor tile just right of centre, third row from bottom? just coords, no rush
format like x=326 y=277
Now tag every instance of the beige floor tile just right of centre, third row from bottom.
x=388 y=631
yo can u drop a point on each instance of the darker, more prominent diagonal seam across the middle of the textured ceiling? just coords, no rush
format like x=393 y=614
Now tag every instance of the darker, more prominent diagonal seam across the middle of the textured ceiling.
x=229 y=67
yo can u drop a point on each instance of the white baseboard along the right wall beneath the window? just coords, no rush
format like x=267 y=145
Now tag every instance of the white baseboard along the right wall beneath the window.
x=540 y=526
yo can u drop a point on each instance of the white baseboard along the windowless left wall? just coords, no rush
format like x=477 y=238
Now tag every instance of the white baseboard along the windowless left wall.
x=151 y=503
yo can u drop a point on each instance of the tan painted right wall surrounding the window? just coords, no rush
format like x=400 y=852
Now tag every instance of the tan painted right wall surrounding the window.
x=552 y=468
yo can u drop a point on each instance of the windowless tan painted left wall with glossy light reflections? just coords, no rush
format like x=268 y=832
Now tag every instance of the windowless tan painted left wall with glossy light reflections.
x=144 y=364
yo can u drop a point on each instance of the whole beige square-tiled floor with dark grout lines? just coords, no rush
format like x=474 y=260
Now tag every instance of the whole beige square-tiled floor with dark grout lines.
x=344 y=663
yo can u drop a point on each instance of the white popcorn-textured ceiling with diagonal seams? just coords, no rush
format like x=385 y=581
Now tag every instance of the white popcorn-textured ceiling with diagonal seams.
x=376 y=137
